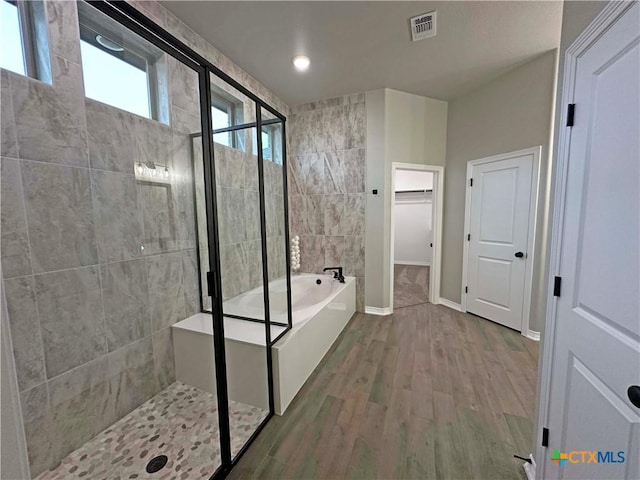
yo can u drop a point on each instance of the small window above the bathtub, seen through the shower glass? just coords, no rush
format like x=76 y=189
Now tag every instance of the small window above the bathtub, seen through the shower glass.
x=226 y=111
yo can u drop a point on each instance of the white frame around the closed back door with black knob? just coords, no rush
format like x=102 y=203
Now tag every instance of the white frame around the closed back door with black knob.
x=531 y=239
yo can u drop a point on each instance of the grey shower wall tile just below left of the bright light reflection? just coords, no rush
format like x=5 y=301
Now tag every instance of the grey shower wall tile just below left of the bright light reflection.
x=117 y=215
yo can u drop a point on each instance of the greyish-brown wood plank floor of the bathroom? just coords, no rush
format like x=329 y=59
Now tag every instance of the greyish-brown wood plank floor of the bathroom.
x=426 y=393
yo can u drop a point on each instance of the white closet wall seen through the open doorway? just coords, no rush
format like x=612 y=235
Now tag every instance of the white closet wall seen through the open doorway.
x=412 y=217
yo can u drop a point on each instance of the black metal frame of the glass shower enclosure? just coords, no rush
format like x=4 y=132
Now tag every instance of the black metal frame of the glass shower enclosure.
x=137 y=22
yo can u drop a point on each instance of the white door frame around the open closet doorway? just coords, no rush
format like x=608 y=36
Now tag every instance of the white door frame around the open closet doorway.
x=437 y=210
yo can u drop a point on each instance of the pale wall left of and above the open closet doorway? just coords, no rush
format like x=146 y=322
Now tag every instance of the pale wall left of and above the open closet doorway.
x=405 y=128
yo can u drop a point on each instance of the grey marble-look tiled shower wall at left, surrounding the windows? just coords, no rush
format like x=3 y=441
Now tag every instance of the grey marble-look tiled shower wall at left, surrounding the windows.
x=97 y=263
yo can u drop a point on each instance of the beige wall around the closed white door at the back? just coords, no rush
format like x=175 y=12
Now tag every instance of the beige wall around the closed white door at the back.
x=510 y=113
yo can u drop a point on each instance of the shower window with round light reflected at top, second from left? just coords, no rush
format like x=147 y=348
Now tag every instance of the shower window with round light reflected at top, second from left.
x=120 y=68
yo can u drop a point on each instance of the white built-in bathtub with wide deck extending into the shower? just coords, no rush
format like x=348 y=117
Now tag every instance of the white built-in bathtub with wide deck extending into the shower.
x=319 y=313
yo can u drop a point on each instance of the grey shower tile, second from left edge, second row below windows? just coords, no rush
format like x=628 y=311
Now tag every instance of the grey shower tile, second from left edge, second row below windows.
x=59 y=216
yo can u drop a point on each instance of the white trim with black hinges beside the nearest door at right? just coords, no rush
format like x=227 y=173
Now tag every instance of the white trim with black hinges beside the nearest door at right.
x=601 y=23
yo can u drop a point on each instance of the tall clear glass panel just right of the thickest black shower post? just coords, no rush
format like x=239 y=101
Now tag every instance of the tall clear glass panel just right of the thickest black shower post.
x=241 y=264
